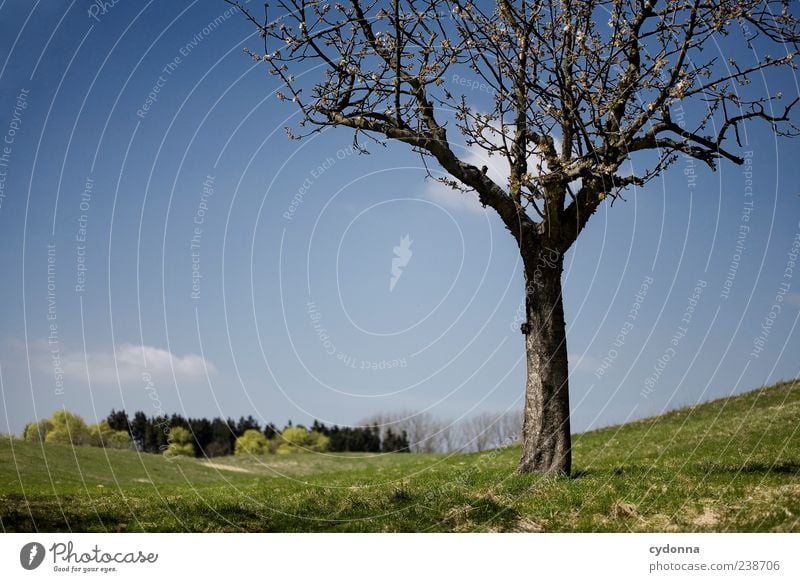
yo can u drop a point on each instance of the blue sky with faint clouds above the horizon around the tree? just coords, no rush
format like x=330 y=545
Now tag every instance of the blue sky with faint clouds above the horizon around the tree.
x=146 y=150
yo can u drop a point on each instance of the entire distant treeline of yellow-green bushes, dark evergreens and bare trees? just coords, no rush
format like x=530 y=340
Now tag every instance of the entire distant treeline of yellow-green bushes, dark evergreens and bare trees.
x=417 y=432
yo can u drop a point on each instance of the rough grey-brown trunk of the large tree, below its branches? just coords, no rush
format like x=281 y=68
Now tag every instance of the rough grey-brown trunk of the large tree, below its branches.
x=546 y=443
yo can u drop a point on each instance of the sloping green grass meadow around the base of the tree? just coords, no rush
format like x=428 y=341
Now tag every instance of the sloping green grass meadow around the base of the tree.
x=728 y=465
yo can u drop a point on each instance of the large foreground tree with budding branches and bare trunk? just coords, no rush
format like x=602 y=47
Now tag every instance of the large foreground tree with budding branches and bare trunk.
x=578 y=90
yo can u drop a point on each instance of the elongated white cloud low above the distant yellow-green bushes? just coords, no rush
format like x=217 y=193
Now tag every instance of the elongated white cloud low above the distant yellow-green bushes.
x=128 y=363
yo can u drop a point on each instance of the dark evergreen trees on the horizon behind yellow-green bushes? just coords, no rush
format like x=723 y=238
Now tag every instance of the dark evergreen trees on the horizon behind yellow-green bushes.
x=218 y=437
